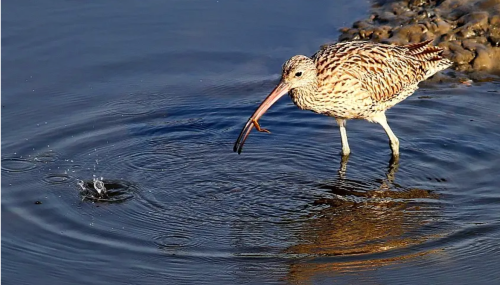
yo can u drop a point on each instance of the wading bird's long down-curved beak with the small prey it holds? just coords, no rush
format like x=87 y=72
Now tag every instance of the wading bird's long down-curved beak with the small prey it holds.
x=277 y=93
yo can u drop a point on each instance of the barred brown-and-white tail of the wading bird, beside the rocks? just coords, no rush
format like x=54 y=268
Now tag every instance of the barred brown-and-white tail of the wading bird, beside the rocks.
x=431 y=57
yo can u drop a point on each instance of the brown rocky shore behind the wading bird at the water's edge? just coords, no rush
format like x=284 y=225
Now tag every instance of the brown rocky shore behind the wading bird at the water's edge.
x=468 y=30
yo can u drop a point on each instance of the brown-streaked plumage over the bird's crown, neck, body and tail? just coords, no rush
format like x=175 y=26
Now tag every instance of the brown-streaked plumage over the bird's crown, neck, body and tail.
x=357 y=80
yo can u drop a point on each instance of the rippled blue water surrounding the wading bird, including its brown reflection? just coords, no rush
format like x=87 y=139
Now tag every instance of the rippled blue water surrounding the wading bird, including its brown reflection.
x=151 y=95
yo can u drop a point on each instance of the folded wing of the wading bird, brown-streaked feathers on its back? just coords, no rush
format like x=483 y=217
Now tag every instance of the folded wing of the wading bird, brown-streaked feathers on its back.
x=381 y=71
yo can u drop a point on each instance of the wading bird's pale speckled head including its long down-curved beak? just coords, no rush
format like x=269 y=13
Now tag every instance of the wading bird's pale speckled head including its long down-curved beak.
x=298 y=72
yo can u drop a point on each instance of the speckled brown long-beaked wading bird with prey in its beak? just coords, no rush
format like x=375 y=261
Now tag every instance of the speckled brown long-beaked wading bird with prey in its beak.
x=352 y=80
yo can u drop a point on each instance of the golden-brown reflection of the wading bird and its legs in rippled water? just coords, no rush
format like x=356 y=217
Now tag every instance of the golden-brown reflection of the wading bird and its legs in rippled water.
x=362 y=220
